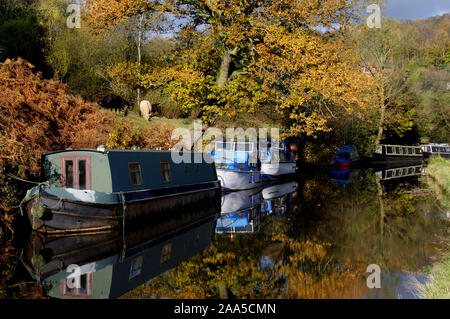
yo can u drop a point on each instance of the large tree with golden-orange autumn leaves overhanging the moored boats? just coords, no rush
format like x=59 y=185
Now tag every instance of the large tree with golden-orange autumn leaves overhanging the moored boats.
x=241 y=56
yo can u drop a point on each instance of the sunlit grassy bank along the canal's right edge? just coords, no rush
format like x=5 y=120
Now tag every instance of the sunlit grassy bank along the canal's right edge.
x=439 y=285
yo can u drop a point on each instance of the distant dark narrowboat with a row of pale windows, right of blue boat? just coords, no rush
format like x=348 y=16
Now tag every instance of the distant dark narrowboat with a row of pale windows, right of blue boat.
x=391 y=154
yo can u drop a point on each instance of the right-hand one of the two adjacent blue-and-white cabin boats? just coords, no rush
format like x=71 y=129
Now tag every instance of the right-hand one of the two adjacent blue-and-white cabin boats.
x=276 y=159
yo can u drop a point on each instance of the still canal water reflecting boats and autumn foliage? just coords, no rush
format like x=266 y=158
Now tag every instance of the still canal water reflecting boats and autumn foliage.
x=312 y=237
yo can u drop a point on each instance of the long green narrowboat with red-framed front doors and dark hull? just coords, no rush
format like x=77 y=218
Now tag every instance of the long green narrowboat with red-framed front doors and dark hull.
x=88 y=191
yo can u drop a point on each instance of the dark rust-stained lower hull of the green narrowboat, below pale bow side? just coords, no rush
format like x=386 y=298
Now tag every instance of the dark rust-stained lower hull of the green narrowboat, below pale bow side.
x=66 y=216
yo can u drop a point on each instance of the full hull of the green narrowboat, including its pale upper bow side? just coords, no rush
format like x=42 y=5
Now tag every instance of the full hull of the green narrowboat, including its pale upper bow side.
x=58 y=211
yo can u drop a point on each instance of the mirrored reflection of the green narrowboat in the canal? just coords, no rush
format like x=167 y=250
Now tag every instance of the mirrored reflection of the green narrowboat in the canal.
x=109 y=264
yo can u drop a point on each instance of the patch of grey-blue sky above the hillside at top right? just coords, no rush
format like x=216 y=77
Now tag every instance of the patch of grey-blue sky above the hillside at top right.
x=416 y=9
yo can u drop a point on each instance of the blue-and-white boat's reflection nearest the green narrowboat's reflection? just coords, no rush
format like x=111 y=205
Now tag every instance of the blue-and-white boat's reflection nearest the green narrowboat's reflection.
x=240 y=212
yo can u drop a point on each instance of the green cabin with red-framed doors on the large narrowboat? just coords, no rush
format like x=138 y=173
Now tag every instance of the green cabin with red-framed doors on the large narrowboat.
x=114 y=171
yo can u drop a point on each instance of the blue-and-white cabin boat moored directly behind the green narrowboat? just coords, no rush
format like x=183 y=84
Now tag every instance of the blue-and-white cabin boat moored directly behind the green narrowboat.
x=237 y=165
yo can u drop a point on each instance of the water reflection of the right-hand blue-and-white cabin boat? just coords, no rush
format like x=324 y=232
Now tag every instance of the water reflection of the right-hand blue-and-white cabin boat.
x=277 y=198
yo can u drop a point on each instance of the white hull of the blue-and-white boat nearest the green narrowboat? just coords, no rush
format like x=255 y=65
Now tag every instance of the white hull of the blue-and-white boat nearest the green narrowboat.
x=233 y=180
